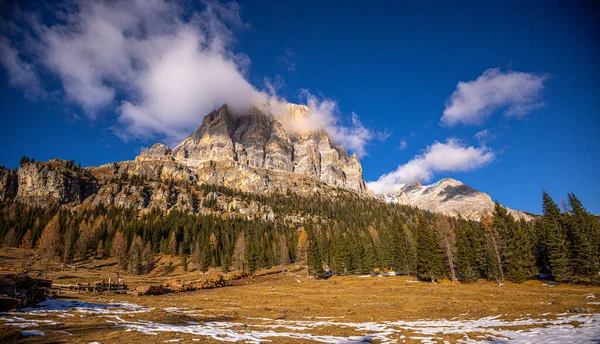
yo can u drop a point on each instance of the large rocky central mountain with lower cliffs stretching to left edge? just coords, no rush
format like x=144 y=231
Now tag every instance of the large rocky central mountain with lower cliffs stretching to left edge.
x=252 y=153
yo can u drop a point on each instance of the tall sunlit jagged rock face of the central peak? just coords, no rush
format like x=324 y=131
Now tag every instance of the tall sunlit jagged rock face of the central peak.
x=241 y=152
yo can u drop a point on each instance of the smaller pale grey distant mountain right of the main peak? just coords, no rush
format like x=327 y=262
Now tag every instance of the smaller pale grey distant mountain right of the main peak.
x=450 y=197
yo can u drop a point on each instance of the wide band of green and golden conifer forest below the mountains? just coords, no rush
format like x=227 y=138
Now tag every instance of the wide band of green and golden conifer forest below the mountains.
x=347 y=234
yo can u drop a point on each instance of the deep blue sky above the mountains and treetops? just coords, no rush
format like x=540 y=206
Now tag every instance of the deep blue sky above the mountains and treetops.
x=395 y=67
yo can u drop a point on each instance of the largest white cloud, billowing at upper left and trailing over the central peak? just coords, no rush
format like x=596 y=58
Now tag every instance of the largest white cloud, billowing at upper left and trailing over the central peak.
x=160 y=66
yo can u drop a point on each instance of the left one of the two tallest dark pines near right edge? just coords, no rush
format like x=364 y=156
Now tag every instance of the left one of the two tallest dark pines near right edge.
x=555 y=240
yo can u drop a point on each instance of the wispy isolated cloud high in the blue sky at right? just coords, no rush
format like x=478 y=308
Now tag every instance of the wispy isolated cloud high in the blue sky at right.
x=474 y=100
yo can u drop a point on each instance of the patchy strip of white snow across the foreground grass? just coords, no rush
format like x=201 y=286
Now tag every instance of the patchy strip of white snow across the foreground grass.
x=548 y=328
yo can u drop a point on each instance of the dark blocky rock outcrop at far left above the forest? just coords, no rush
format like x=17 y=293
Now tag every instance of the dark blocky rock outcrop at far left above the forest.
x=54 y=182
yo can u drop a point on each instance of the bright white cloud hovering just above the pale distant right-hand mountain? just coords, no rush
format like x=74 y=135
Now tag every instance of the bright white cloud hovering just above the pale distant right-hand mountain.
x=451 y=156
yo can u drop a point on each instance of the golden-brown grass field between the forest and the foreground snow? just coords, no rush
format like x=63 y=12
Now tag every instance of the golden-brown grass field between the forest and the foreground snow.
x=291 y=296
